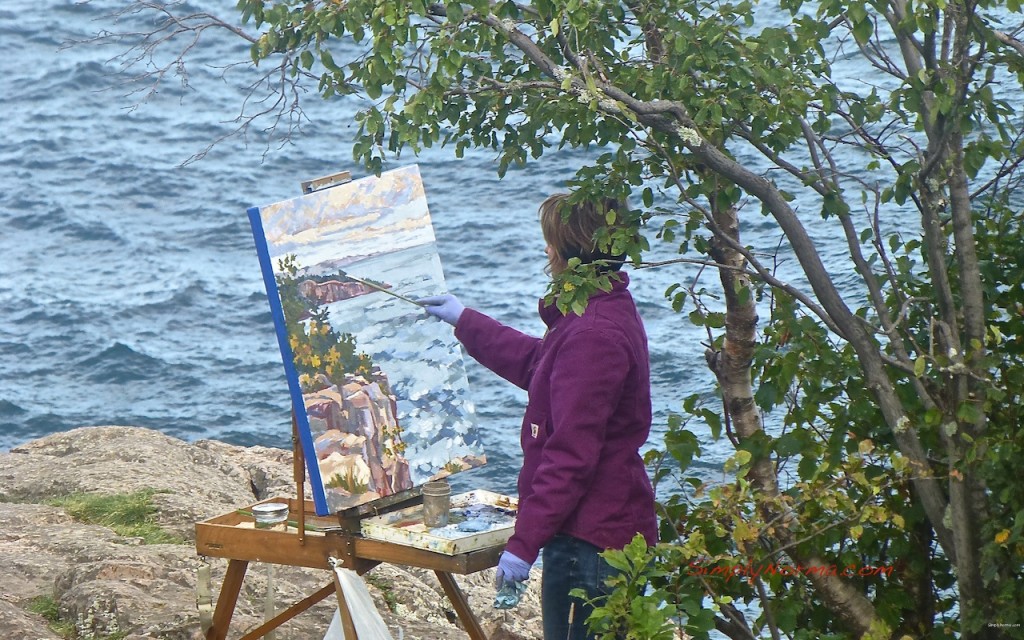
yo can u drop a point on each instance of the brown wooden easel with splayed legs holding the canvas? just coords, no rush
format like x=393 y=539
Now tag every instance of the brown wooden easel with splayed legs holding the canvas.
x=326 y=542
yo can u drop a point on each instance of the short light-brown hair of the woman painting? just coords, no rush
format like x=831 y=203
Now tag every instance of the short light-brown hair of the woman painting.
x=570 y=230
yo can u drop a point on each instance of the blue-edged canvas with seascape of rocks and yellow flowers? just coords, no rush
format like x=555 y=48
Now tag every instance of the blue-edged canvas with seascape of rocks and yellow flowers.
x=378 y=388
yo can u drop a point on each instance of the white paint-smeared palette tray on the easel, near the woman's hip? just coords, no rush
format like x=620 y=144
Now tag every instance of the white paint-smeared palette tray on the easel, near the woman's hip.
x=479 y=520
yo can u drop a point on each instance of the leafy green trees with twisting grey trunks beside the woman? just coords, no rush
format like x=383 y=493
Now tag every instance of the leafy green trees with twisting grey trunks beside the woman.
x=872 y=399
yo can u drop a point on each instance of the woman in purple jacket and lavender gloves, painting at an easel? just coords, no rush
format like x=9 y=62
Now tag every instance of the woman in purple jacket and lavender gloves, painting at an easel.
x=583 y=488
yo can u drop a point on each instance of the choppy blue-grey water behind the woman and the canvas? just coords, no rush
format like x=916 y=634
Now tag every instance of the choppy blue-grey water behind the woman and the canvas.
x=131 y=291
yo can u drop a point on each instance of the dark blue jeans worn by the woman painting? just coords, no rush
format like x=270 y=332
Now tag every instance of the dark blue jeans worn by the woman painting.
x=571 y=564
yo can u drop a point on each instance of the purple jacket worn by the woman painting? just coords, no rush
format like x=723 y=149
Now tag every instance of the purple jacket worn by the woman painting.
x=588 y=415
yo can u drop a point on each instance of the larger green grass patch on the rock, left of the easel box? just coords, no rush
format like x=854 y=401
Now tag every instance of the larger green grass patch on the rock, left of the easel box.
x=132 y=516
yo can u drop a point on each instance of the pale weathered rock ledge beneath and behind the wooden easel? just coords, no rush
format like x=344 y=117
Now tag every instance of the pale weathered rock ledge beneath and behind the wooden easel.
x=108 y=587
